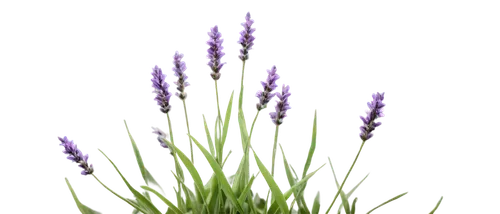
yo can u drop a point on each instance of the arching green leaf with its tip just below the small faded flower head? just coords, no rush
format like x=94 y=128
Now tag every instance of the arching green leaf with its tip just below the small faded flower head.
x=190 y=167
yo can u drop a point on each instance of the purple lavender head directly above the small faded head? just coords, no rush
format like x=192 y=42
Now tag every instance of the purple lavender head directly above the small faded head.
x=162 y=96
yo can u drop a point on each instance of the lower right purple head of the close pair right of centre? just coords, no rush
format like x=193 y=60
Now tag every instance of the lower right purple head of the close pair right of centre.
x=282 y=106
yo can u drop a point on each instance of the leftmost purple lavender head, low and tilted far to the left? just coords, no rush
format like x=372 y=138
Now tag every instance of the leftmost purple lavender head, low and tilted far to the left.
x=75 y=155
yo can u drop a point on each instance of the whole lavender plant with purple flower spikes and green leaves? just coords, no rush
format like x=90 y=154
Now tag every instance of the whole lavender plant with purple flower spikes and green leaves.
x=220 y=193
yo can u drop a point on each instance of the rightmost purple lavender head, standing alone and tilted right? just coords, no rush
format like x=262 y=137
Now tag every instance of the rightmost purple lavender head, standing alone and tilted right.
x=372 y=116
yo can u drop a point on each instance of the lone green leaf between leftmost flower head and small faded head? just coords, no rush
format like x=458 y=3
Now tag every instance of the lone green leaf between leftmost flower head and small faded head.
x=144 y=172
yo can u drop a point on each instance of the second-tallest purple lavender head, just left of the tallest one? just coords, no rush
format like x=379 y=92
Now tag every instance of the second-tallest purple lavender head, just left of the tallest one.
x=215 y=52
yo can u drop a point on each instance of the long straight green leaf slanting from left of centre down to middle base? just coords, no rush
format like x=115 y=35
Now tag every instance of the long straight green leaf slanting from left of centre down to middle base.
x=219 y=174
